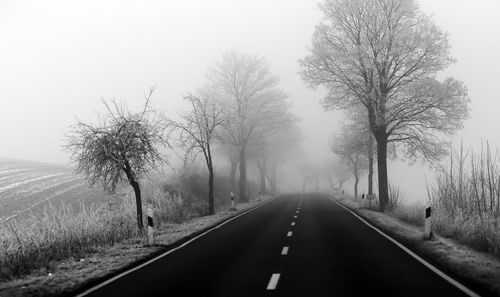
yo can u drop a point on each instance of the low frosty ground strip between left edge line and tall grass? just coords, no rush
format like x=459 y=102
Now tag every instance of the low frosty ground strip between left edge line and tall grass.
x=73 y=275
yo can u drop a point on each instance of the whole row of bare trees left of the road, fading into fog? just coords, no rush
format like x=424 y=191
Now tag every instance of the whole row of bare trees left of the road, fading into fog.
x=241 y=111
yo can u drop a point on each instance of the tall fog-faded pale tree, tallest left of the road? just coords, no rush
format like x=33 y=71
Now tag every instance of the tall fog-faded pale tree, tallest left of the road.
x=254 y=105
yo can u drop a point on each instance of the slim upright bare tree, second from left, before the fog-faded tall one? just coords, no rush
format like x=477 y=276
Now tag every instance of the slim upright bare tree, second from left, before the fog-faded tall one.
x=198 y=130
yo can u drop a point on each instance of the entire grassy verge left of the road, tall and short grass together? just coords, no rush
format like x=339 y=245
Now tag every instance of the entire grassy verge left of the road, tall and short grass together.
x=70 y=252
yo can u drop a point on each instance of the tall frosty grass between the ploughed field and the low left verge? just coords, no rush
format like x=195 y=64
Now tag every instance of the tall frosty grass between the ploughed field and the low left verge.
x=37 y=240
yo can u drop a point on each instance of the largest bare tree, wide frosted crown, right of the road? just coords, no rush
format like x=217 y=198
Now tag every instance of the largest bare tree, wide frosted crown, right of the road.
x=383 y=55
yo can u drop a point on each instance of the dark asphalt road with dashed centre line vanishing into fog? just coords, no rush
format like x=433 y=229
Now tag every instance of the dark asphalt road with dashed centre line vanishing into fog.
x=330 y=253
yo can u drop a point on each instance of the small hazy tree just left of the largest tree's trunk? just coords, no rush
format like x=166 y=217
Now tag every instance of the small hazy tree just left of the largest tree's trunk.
x=351 y=144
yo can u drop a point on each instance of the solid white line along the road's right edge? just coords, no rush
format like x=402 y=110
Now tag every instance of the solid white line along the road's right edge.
x=418 y=258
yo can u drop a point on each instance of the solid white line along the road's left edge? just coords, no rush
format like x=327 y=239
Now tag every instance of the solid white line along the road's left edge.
x=114 y=278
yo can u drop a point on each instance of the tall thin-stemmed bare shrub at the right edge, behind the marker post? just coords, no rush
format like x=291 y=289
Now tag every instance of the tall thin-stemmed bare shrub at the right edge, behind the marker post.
x=466 y=199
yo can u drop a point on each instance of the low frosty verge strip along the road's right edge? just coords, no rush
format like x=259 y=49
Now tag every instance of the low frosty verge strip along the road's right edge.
x=466 y=265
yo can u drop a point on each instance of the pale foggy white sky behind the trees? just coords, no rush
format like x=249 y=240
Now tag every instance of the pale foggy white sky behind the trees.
x=59 y=57
